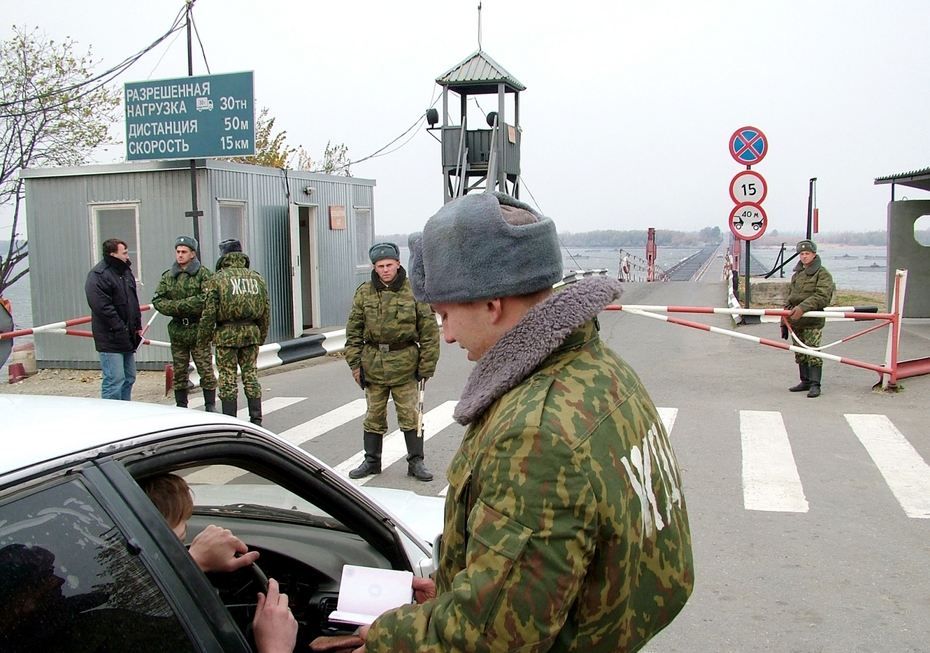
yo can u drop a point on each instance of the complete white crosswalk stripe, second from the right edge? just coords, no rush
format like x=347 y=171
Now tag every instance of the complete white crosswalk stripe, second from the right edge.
x=770 y=476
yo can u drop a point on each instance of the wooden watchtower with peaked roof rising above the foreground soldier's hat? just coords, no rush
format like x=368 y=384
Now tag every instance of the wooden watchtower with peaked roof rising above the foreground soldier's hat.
x=486 y=159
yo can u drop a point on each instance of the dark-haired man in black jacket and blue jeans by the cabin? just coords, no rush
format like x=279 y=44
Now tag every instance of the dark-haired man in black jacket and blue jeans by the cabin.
x=116 y=319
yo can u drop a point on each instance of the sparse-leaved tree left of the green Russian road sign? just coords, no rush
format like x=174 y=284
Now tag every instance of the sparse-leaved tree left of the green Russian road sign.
x=53 y=112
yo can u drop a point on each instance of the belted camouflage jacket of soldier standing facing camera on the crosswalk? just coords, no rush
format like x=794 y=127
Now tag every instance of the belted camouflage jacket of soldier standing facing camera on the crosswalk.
x=386 y=315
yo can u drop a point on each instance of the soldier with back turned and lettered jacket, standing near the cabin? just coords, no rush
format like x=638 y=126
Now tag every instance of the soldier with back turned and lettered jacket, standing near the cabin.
x=236 y=317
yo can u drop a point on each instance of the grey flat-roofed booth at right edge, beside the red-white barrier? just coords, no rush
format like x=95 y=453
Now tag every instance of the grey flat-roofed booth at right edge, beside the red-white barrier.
x=904 y=252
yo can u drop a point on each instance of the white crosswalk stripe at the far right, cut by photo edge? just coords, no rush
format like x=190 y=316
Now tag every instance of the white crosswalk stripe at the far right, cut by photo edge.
x=905 y=472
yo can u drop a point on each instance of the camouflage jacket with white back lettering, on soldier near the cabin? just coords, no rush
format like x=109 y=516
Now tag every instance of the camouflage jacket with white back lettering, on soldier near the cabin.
x=237 y=295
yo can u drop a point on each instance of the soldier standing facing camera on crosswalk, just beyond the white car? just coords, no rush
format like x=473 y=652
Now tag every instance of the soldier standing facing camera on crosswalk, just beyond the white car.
x=392 y=341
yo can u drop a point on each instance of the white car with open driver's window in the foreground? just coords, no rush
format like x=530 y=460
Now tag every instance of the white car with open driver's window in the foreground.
x=93 y=561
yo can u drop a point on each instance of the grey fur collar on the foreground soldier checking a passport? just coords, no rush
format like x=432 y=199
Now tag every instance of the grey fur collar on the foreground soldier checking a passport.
x=520 y=351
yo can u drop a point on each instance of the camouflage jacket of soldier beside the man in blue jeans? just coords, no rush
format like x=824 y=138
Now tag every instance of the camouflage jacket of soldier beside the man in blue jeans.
x=179 y=295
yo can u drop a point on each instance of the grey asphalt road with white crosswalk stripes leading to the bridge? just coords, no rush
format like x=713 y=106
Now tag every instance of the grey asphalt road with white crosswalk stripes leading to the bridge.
x=845 y=567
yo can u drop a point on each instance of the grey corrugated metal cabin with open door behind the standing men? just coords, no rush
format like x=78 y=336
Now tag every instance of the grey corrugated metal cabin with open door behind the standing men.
x=308 y=234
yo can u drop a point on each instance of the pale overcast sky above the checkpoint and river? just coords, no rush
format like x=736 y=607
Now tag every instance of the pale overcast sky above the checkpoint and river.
x=629 y=106
